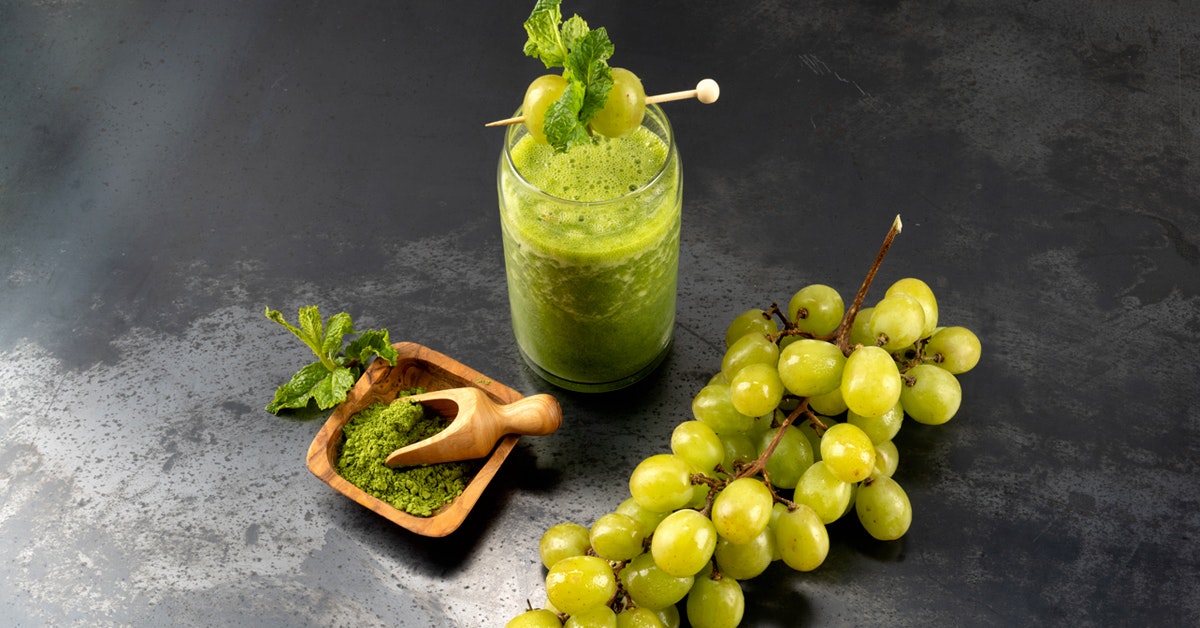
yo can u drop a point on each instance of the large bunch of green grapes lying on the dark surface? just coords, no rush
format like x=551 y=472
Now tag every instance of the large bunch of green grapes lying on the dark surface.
x=794 y=433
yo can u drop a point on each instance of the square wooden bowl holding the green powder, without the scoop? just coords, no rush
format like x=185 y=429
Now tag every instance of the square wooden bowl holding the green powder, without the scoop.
x=417 y=367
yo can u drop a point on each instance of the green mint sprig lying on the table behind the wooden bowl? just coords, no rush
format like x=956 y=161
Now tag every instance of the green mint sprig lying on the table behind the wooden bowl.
x=328 y=380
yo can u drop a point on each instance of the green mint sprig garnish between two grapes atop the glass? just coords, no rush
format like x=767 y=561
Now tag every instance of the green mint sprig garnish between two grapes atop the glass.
x=584 y=56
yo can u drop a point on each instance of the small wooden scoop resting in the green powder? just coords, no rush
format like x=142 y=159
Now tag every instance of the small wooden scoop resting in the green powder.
x=477 y=424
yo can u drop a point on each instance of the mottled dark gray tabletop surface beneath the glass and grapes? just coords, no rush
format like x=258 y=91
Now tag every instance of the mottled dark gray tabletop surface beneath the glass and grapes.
x=167 y=170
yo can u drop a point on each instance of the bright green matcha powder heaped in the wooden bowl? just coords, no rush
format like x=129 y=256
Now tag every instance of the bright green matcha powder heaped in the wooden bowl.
x=379 y=430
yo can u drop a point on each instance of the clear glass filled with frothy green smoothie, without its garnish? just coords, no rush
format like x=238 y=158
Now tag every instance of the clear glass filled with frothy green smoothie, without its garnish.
x=592 y=253
